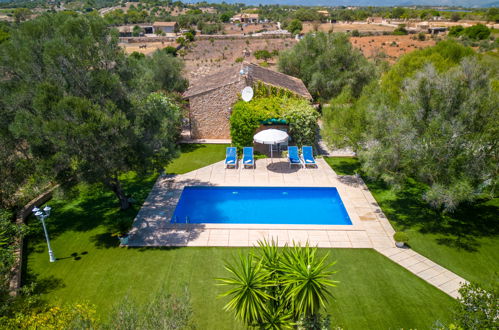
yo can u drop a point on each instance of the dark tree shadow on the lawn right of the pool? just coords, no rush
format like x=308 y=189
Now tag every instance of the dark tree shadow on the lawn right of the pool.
x=459 y=229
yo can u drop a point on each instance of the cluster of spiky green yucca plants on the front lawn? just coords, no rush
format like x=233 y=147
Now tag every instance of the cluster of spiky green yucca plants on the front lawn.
x=276 y=288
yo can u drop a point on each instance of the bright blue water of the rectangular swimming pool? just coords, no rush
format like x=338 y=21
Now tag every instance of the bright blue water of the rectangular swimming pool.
x=261 y=205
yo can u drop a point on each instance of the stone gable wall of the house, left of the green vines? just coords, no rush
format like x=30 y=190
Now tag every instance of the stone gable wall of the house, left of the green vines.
x=210 y=112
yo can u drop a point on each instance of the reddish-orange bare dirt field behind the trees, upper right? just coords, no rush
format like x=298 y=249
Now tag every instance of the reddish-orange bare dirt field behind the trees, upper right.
x=392 y=46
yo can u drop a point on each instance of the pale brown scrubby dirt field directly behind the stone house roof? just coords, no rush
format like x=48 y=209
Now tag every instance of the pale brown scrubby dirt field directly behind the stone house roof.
x=205 y=57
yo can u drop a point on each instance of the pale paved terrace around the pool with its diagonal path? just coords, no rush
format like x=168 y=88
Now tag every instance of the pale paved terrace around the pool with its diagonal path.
x=370 y=228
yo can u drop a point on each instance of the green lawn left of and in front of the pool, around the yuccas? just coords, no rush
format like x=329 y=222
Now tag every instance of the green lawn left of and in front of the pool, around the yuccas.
x=374 y=292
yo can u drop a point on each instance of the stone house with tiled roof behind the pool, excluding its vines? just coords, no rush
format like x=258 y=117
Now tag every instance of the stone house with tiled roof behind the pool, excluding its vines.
x=211 y=98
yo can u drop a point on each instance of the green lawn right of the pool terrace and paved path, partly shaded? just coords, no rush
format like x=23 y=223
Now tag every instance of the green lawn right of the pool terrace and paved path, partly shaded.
x=465 y=242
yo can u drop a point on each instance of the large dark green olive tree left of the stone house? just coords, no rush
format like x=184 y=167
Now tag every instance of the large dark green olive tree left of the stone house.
x=76 y=105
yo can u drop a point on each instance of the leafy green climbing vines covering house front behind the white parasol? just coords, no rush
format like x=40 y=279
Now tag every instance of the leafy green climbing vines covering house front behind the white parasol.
x=298 y=113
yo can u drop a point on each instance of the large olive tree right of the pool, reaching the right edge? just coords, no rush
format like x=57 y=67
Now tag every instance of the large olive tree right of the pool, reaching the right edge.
x=443 y=132
